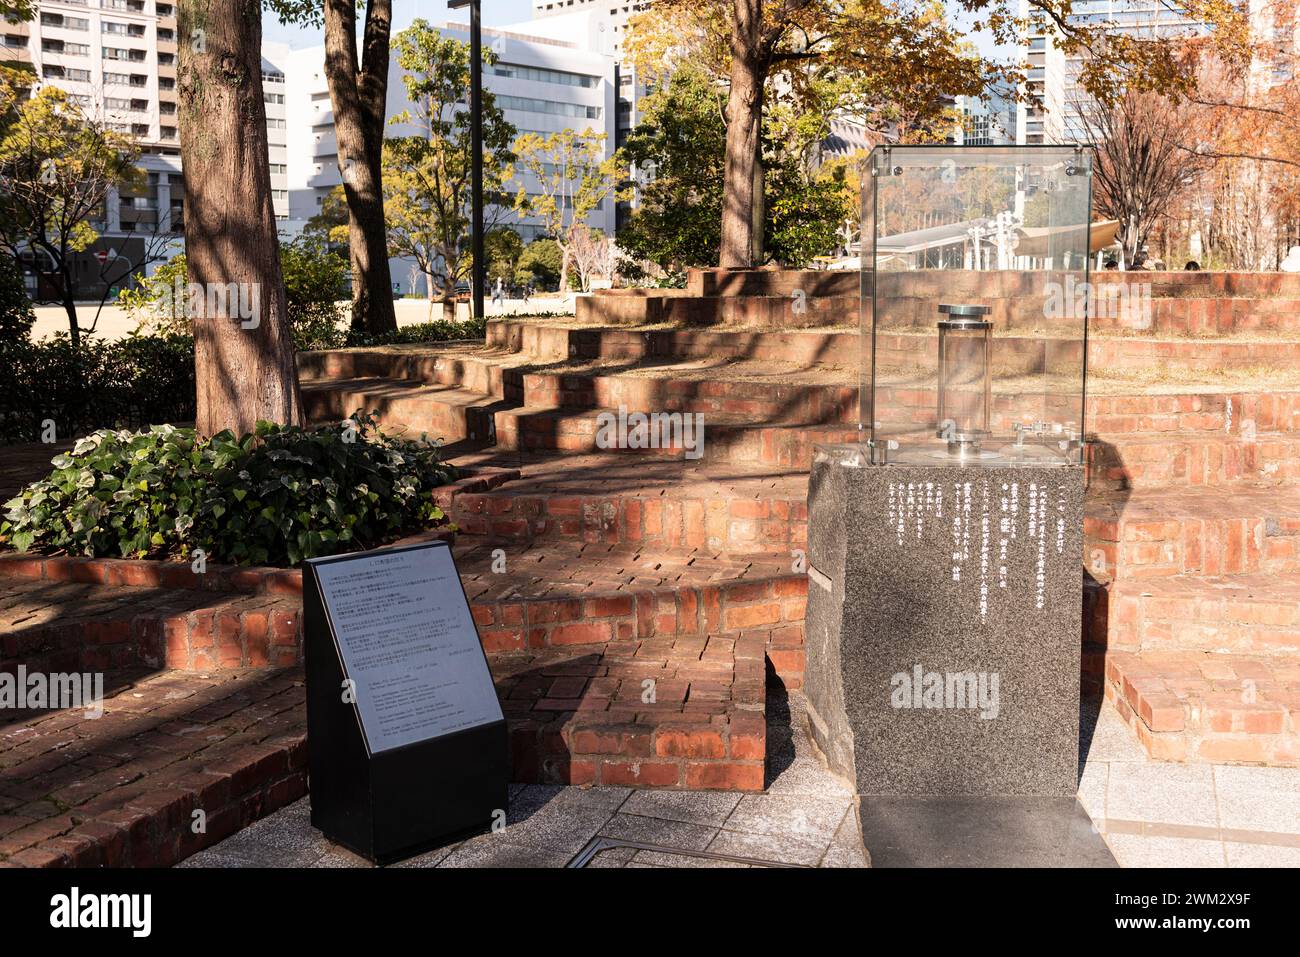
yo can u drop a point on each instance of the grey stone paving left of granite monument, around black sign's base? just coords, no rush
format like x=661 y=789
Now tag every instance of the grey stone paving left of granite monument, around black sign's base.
x=805 y=819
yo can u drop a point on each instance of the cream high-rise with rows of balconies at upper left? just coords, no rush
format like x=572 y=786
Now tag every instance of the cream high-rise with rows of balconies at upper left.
x=118 y=60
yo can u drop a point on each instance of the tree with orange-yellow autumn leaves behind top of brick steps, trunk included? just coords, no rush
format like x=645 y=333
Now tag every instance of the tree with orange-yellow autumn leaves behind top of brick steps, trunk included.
x=874 y=53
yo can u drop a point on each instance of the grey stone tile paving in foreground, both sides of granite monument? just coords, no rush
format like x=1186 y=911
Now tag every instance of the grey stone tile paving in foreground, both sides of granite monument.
x=1150 y=815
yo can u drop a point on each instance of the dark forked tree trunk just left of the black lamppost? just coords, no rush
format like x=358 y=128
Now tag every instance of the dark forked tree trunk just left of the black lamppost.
x=359 y=96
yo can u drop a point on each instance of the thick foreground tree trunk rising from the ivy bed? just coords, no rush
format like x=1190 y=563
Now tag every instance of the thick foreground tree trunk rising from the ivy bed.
x=242 y=349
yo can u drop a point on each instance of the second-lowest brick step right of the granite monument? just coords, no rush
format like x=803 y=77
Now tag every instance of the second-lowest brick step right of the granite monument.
x=1237 y=614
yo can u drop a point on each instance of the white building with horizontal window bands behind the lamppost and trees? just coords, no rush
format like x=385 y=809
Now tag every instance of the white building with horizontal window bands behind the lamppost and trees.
x=543 y=85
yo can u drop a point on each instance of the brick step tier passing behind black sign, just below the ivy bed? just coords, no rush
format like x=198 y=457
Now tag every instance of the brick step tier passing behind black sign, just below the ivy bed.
x=523 y=597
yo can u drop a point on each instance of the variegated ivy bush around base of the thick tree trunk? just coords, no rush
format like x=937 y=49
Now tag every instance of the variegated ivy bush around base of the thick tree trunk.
x=275 y=497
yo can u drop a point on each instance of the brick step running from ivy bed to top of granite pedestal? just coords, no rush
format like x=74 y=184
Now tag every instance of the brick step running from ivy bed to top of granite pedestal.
x=644 y=503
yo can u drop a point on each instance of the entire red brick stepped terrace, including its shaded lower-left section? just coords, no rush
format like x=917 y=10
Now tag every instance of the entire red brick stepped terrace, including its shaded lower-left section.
x=635 y=607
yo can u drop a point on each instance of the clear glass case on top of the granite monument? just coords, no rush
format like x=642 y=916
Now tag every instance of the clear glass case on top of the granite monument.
x=974 y=305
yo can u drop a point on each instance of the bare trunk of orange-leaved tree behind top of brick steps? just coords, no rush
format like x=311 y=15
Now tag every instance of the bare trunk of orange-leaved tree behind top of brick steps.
x=744 y=128
